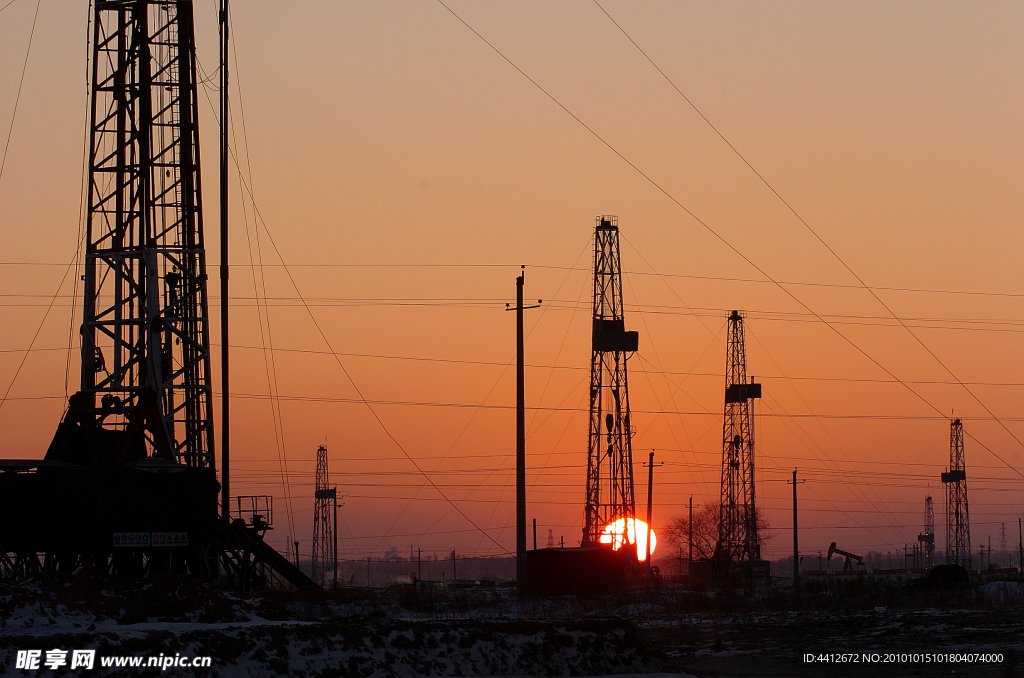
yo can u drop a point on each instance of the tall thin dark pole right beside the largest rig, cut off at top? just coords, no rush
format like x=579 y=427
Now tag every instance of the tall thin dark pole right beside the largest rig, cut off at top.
x=226 y=493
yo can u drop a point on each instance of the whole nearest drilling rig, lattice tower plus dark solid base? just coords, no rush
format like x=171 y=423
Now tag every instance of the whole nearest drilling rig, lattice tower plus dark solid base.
x=129 y=481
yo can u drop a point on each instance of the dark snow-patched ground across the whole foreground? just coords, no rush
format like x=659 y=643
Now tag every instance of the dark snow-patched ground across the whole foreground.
x=876 y=629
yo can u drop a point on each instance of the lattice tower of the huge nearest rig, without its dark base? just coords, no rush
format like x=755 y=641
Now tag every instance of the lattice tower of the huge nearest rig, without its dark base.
x=146 y=358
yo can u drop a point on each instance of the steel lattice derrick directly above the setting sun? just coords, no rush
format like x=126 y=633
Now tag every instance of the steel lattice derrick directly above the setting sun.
x=610 y=459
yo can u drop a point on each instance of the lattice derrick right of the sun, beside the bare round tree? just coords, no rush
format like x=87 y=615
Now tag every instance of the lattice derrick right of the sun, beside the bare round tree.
x=739 y=540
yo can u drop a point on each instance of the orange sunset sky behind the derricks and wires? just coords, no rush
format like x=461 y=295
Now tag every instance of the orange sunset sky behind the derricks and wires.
x=404 y=171
